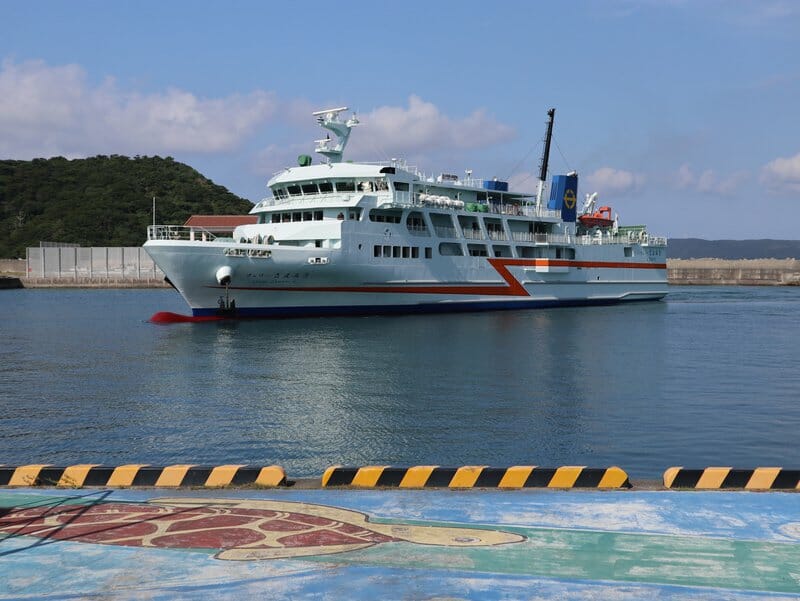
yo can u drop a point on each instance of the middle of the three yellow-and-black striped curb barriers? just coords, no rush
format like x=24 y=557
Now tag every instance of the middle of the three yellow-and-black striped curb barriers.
x=430 y=476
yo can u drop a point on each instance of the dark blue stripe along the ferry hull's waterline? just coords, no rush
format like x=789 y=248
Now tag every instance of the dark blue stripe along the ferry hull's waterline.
x=356 y=310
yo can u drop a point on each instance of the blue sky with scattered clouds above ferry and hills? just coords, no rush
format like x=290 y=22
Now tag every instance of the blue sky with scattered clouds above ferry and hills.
x=682 y=115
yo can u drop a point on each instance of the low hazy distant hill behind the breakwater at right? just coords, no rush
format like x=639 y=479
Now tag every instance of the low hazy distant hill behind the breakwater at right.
x=696 y=248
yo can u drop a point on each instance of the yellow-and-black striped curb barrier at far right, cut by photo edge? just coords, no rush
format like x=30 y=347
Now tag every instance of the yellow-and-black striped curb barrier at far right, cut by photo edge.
x=760 y=478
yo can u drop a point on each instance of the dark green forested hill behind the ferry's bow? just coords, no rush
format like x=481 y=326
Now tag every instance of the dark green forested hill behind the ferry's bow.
x=101 y=201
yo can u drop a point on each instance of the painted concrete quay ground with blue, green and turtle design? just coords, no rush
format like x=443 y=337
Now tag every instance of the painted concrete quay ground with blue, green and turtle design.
x=429 y=544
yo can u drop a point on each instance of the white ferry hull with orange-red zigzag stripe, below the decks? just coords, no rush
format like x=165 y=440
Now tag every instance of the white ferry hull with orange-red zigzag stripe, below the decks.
x=286 y=284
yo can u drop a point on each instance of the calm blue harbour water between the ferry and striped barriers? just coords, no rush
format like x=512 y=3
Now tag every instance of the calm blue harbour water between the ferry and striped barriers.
x=708 y=377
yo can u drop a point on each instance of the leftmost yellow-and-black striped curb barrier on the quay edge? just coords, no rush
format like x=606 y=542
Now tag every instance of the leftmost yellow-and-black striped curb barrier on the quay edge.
x=78 y=476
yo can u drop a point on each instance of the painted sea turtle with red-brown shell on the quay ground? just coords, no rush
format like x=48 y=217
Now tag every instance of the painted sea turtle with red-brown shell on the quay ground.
x=240 y=530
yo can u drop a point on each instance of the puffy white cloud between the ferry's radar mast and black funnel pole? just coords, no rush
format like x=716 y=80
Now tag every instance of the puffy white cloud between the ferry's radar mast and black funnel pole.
x=422 y=127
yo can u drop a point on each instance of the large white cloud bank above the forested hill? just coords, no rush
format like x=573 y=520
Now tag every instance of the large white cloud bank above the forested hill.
x=48 y=110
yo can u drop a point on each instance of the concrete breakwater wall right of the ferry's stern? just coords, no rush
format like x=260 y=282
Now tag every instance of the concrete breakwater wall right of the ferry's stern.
x=746 y=272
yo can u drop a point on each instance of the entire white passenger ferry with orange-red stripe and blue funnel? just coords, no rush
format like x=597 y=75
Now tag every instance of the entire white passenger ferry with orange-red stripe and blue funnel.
x=338 y=237
